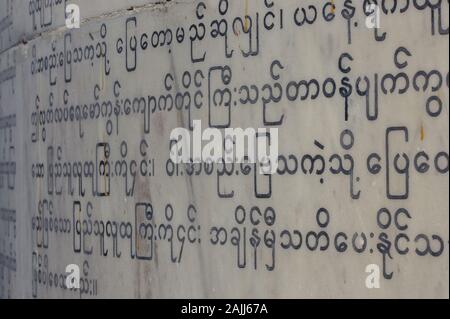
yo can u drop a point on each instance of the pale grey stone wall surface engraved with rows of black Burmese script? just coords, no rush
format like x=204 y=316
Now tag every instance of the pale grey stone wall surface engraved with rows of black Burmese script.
x=108 y=98
